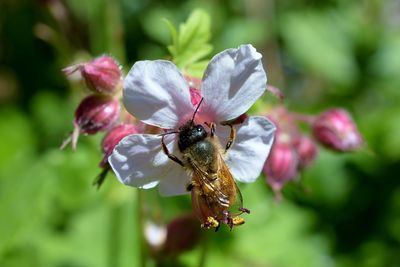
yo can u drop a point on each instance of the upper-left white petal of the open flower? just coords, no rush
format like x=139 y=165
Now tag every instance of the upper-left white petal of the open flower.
x=156 y=93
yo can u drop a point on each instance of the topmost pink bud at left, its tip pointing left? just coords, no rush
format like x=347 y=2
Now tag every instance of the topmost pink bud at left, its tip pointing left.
x=102 y=75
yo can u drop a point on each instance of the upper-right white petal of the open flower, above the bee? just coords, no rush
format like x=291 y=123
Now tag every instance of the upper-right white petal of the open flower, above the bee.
x=233 y=81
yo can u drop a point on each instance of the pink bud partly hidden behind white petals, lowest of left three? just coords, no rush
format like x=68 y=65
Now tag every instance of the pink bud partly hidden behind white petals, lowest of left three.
x=113 y=137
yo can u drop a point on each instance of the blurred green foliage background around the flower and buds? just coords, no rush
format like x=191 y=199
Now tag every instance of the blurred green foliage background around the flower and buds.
x=345 y=211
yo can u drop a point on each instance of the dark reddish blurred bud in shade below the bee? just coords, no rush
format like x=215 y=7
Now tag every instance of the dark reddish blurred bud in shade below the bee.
x=183 y=233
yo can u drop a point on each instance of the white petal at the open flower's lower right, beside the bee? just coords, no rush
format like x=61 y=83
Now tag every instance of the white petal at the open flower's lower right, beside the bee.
x=248 y=153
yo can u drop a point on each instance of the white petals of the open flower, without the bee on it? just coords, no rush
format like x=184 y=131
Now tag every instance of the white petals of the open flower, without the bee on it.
x=156 y=93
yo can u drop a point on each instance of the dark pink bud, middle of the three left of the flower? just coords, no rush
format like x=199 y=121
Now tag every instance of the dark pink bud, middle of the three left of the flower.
x=94 y=114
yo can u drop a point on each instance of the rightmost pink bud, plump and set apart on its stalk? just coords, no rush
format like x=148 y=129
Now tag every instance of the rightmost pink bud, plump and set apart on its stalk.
x=335 y=129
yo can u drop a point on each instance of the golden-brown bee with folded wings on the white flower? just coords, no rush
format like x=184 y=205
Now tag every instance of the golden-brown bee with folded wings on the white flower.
x=216 y=199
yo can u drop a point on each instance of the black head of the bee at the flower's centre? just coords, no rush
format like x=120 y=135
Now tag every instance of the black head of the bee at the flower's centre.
x=190 y=134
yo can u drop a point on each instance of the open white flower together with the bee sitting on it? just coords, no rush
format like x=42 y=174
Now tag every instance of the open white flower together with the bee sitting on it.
x=200 y=152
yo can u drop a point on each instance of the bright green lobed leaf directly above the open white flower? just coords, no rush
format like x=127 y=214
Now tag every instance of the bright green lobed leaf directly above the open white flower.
x=190 y=43
